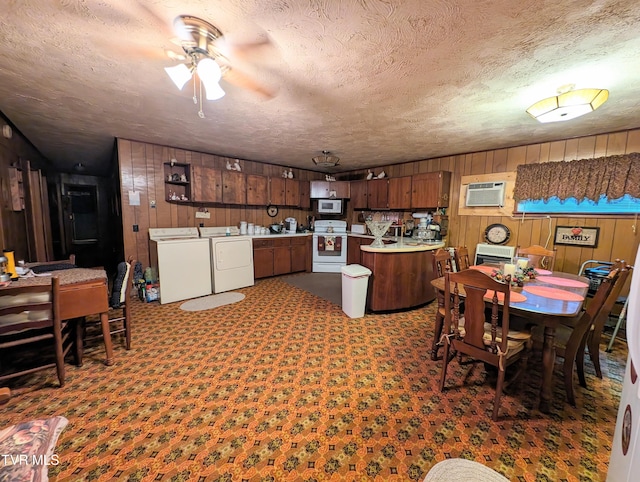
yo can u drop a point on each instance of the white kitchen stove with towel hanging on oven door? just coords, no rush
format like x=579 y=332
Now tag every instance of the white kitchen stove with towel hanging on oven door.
x=329 y=246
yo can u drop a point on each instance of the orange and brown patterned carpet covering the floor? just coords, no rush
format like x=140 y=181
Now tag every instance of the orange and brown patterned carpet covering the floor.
x=283 y=386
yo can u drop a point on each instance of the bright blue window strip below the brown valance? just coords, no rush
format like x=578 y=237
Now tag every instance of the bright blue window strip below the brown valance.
x=624 y=205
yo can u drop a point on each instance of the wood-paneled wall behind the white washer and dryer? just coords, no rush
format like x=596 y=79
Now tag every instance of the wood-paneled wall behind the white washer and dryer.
x=142 y=170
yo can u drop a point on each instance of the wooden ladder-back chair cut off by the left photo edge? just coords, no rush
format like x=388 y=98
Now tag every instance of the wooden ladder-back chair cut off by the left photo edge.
x=30 y=314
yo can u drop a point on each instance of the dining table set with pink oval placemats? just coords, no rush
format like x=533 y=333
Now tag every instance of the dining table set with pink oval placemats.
x=548 y=300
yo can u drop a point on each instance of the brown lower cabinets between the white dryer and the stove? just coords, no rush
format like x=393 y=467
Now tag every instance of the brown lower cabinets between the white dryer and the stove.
x=281 y=255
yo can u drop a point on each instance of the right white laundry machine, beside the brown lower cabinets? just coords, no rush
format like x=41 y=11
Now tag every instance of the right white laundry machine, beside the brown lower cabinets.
x=231 y=258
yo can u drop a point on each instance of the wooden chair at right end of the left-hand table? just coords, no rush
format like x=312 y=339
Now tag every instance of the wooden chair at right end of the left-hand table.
x=119 y=309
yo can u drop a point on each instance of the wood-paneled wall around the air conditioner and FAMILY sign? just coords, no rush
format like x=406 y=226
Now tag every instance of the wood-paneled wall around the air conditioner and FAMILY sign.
x=619 y=235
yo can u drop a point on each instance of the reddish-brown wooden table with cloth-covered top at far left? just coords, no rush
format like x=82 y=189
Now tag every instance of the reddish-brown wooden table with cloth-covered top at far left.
x=83 y=292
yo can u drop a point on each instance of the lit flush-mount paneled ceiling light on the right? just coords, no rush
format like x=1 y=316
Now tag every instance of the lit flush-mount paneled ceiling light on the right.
x=568 y=105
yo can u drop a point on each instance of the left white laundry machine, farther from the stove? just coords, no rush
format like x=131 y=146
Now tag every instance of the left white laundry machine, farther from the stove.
x=183 y=263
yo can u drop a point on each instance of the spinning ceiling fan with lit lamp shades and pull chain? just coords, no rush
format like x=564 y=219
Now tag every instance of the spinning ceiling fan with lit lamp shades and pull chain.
x=205 y=55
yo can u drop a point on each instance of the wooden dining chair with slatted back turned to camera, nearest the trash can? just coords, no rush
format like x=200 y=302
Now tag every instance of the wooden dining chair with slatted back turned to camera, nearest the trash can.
x=480 y=336
